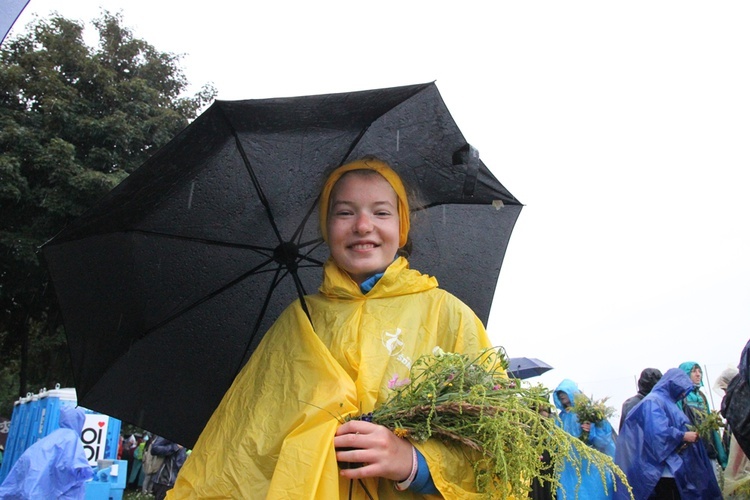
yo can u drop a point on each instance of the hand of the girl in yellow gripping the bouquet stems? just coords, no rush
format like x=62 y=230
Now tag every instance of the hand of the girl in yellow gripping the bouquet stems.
x=380 y=451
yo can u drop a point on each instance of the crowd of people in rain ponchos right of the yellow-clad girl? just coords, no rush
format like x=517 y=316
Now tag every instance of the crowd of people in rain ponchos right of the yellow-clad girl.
x=658 y=447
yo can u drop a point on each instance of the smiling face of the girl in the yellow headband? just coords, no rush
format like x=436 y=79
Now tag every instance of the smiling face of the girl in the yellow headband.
x=363 y=226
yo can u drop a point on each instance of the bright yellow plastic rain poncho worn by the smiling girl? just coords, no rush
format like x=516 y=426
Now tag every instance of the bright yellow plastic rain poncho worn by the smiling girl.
x=272 y=435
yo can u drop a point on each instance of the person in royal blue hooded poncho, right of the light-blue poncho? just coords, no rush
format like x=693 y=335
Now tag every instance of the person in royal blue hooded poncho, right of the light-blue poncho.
x=657 y=452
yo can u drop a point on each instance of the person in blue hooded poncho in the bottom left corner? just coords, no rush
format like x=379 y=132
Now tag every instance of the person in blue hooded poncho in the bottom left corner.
x=53 y=467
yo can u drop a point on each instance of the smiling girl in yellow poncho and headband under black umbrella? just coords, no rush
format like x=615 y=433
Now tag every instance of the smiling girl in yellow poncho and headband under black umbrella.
x=281 y=429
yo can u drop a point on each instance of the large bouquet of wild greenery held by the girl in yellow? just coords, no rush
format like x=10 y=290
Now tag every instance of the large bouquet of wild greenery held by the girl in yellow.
x=470 y=401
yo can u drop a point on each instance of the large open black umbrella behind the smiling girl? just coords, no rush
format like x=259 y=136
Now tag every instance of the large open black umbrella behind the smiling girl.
x=169 y=283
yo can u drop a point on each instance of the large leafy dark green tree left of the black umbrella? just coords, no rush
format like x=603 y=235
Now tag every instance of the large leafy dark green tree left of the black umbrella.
x=74 y=122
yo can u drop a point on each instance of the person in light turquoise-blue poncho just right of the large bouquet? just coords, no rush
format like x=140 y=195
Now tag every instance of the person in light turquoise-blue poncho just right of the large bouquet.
x=592 y=481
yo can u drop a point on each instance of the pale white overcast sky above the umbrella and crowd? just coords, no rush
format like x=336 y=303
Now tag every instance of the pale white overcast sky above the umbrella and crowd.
x=622 y=126
